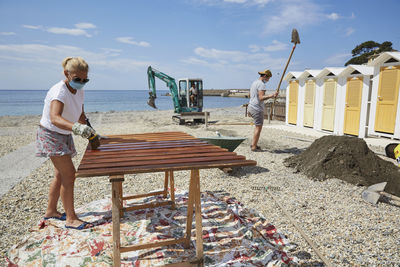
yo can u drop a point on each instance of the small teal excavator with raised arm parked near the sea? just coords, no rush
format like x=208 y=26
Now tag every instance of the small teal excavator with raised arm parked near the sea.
x=187 y=99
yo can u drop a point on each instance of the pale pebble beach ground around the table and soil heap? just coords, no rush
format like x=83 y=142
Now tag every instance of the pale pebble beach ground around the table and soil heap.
x=347 y=230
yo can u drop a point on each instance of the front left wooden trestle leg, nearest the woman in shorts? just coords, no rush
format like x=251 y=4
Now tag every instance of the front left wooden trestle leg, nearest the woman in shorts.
x=116 y=185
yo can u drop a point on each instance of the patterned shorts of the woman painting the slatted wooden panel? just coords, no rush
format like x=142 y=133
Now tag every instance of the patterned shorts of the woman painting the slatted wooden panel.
x=49 y=143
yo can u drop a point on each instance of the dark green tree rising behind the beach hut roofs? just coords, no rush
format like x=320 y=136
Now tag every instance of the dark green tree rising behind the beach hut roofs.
x=362 y=52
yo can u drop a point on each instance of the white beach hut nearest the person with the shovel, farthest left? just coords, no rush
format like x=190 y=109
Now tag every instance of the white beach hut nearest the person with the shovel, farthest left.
x=292 y=97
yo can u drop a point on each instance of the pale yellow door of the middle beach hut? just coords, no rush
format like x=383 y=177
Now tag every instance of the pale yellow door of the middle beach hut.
x=328 y=108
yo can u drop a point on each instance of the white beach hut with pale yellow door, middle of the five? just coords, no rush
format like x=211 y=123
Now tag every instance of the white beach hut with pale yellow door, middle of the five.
x=332 y=85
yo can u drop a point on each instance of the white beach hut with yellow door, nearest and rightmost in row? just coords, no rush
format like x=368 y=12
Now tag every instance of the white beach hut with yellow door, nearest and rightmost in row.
x=384 y=118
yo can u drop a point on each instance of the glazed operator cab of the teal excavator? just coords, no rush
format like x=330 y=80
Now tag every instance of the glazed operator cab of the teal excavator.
x=191 y=93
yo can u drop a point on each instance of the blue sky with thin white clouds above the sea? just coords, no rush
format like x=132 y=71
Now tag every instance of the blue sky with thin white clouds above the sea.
x=224 y=42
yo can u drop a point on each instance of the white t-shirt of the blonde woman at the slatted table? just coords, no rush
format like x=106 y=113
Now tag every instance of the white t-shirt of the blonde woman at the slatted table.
x=72 y=106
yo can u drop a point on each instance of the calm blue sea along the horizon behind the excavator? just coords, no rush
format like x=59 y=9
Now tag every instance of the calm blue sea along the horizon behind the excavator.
x=30 y=102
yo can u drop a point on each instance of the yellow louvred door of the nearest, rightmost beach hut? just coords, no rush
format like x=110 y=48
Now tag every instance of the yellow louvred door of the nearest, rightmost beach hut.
x=388 y=92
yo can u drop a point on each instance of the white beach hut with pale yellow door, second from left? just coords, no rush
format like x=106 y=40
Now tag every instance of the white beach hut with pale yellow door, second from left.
x=310 y=90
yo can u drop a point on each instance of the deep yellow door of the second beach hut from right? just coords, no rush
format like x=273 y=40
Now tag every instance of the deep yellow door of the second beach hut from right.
x=353 y=106
